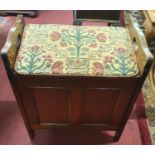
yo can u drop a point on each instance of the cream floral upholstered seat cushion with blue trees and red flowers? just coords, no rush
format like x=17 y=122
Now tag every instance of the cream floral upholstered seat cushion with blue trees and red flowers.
x=76 y=50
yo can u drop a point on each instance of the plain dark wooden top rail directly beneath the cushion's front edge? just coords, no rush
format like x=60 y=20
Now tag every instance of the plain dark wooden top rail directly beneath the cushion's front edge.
x=74 y=81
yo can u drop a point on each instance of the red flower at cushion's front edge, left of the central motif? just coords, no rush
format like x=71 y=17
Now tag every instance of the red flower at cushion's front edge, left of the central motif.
x=57 y=68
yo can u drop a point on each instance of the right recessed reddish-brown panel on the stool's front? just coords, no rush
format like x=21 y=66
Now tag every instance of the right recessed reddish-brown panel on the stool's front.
x=98 y=105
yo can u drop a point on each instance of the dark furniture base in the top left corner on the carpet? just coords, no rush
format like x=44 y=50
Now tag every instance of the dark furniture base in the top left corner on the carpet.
x=29 y=13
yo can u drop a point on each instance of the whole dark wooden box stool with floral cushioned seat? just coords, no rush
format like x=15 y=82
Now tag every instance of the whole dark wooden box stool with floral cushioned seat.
x=76 y=76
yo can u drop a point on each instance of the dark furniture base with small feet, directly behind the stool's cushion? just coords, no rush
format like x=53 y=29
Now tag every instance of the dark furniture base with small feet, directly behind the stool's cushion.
x=110 y=16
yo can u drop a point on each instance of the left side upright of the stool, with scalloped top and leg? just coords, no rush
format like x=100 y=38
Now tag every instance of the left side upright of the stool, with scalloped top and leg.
x=9 y=53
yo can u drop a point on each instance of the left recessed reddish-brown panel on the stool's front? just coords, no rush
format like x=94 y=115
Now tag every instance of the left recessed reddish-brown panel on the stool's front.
x=52 y=104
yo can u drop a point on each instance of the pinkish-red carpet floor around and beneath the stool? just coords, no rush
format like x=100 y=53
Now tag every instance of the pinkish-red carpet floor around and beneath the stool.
x=12 y=127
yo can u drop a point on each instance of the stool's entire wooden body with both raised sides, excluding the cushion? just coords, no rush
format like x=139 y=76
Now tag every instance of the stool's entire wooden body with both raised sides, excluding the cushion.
x=81 y=101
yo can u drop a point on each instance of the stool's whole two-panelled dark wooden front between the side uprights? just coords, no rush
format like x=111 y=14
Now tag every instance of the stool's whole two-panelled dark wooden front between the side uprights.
x=79 y=101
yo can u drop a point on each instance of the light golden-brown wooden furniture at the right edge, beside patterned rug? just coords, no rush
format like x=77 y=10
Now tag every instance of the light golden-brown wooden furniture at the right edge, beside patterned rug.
x=149 y=30
